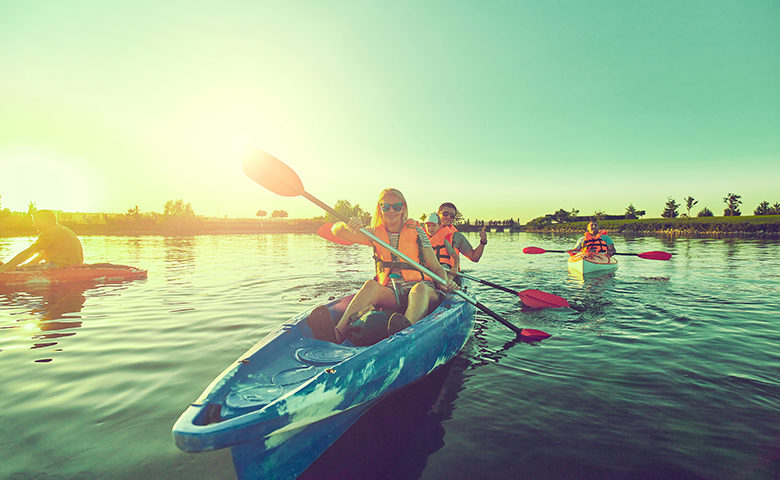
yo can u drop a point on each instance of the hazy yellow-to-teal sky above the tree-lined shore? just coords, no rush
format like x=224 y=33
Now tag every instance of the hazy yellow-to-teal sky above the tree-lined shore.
x=506 y=108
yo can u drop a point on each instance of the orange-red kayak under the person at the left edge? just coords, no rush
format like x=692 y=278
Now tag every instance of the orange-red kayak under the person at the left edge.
x=96 y=273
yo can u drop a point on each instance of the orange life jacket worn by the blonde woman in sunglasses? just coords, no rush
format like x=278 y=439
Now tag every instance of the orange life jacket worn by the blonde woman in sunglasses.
x=408 y=244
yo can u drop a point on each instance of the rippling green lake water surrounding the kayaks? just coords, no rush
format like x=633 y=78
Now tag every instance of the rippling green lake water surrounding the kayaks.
x=662 y=370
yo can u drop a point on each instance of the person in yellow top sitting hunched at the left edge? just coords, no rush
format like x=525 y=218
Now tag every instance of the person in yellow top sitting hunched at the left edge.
x=57 y=246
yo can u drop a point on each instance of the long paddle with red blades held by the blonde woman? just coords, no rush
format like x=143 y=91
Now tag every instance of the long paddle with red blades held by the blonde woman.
x=278 y=177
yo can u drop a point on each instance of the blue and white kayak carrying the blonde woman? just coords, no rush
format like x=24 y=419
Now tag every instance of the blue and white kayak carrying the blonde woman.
x=288 y=398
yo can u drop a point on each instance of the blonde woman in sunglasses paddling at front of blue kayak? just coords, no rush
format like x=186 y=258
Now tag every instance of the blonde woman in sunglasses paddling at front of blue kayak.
x=397 y=285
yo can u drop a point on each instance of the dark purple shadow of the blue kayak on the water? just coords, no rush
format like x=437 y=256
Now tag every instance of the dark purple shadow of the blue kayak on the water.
x=394 y=439
